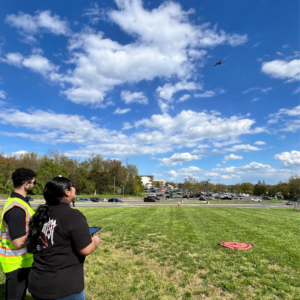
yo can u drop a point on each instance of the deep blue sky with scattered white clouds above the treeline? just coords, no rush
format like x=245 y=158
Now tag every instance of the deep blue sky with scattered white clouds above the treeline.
x=136 y=80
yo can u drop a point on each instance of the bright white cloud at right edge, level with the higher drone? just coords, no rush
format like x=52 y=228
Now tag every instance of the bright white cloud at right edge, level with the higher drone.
x=282 y=69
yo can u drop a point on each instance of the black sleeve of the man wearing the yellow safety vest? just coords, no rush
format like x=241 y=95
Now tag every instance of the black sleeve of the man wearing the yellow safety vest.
x=15 y=219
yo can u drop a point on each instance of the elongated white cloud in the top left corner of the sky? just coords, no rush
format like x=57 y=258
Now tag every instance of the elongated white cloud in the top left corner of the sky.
x=41 y=21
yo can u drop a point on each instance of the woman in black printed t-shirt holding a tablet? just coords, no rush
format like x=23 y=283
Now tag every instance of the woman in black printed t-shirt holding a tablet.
x=59 y=239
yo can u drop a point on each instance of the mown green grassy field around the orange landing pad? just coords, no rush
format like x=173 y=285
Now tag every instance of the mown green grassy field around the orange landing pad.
x=173 y=253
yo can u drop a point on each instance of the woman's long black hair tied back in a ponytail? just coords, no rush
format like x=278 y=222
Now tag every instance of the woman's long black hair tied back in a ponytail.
x=53 y=193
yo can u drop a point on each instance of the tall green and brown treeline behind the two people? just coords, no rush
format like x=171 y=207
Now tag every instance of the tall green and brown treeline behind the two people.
x=93 y=175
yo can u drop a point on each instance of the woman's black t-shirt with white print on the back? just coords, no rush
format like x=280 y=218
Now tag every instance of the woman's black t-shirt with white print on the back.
x=57 y=269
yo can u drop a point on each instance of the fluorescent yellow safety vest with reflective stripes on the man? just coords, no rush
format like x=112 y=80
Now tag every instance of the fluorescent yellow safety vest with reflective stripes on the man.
x=12 y=258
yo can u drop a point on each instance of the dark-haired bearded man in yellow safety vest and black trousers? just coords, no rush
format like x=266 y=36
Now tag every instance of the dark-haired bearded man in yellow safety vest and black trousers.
x=17 y=212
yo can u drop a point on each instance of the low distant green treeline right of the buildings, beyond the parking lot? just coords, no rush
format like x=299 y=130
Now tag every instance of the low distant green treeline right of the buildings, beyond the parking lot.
x=289 y=189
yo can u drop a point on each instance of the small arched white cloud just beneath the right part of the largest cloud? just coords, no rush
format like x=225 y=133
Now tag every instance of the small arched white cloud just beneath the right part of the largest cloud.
x=166 y=92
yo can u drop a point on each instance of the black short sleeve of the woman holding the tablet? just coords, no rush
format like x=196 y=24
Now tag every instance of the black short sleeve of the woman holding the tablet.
x=79 y=231
